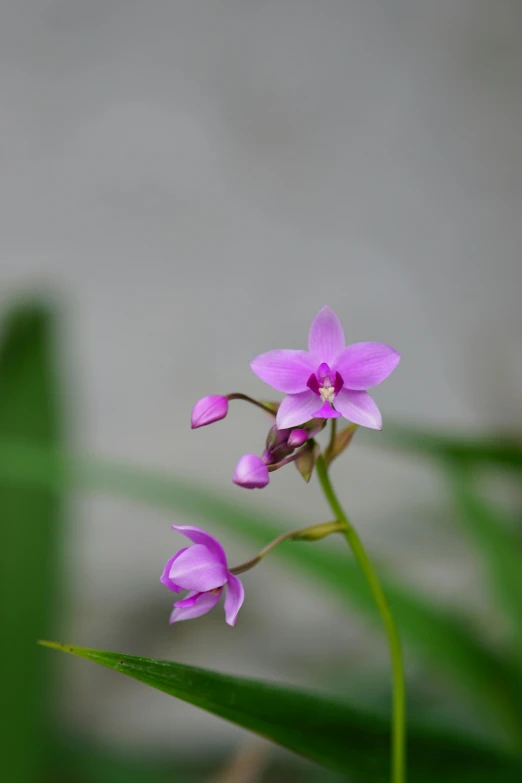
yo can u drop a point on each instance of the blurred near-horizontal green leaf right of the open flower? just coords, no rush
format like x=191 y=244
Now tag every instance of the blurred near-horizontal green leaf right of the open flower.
x=501 y=450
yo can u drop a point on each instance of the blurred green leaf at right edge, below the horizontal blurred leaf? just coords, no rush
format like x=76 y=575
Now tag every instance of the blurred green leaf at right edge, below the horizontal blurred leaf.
x=499 y=546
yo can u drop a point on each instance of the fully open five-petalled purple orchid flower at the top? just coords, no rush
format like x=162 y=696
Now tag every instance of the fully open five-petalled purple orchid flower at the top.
x=330 y=379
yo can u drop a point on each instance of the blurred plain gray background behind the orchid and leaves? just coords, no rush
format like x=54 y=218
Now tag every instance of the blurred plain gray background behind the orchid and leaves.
x=192 y=181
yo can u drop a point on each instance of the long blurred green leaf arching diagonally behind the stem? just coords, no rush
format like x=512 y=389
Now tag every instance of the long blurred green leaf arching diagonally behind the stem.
x=435 y=633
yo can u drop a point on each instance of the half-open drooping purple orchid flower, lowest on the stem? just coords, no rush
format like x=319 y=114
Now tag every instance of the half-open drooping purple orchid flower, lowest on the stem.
x=202 y=569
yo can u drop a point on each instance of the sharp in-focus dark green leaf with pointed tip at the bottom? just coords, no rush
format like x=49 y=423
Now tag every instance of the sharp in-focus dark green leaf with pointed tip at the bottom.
x=319 y=728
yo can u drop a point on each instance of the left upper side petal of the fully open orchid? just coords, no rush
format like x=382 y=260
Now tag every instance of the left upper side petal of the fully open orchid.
x=285 y=370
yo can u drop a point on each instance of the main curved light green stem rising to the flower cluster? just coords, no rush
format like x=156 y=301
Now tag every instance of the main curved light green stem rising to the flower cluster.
x=398 y=736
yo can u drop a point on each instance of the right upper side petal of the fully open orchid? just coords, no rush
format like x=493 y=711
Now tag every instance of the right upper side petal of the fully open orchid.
x=364 y=365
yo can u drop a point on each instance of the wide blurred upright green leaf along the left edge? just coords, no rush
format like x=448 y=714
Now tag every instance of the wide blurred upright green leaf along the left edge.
x=29 y=524
